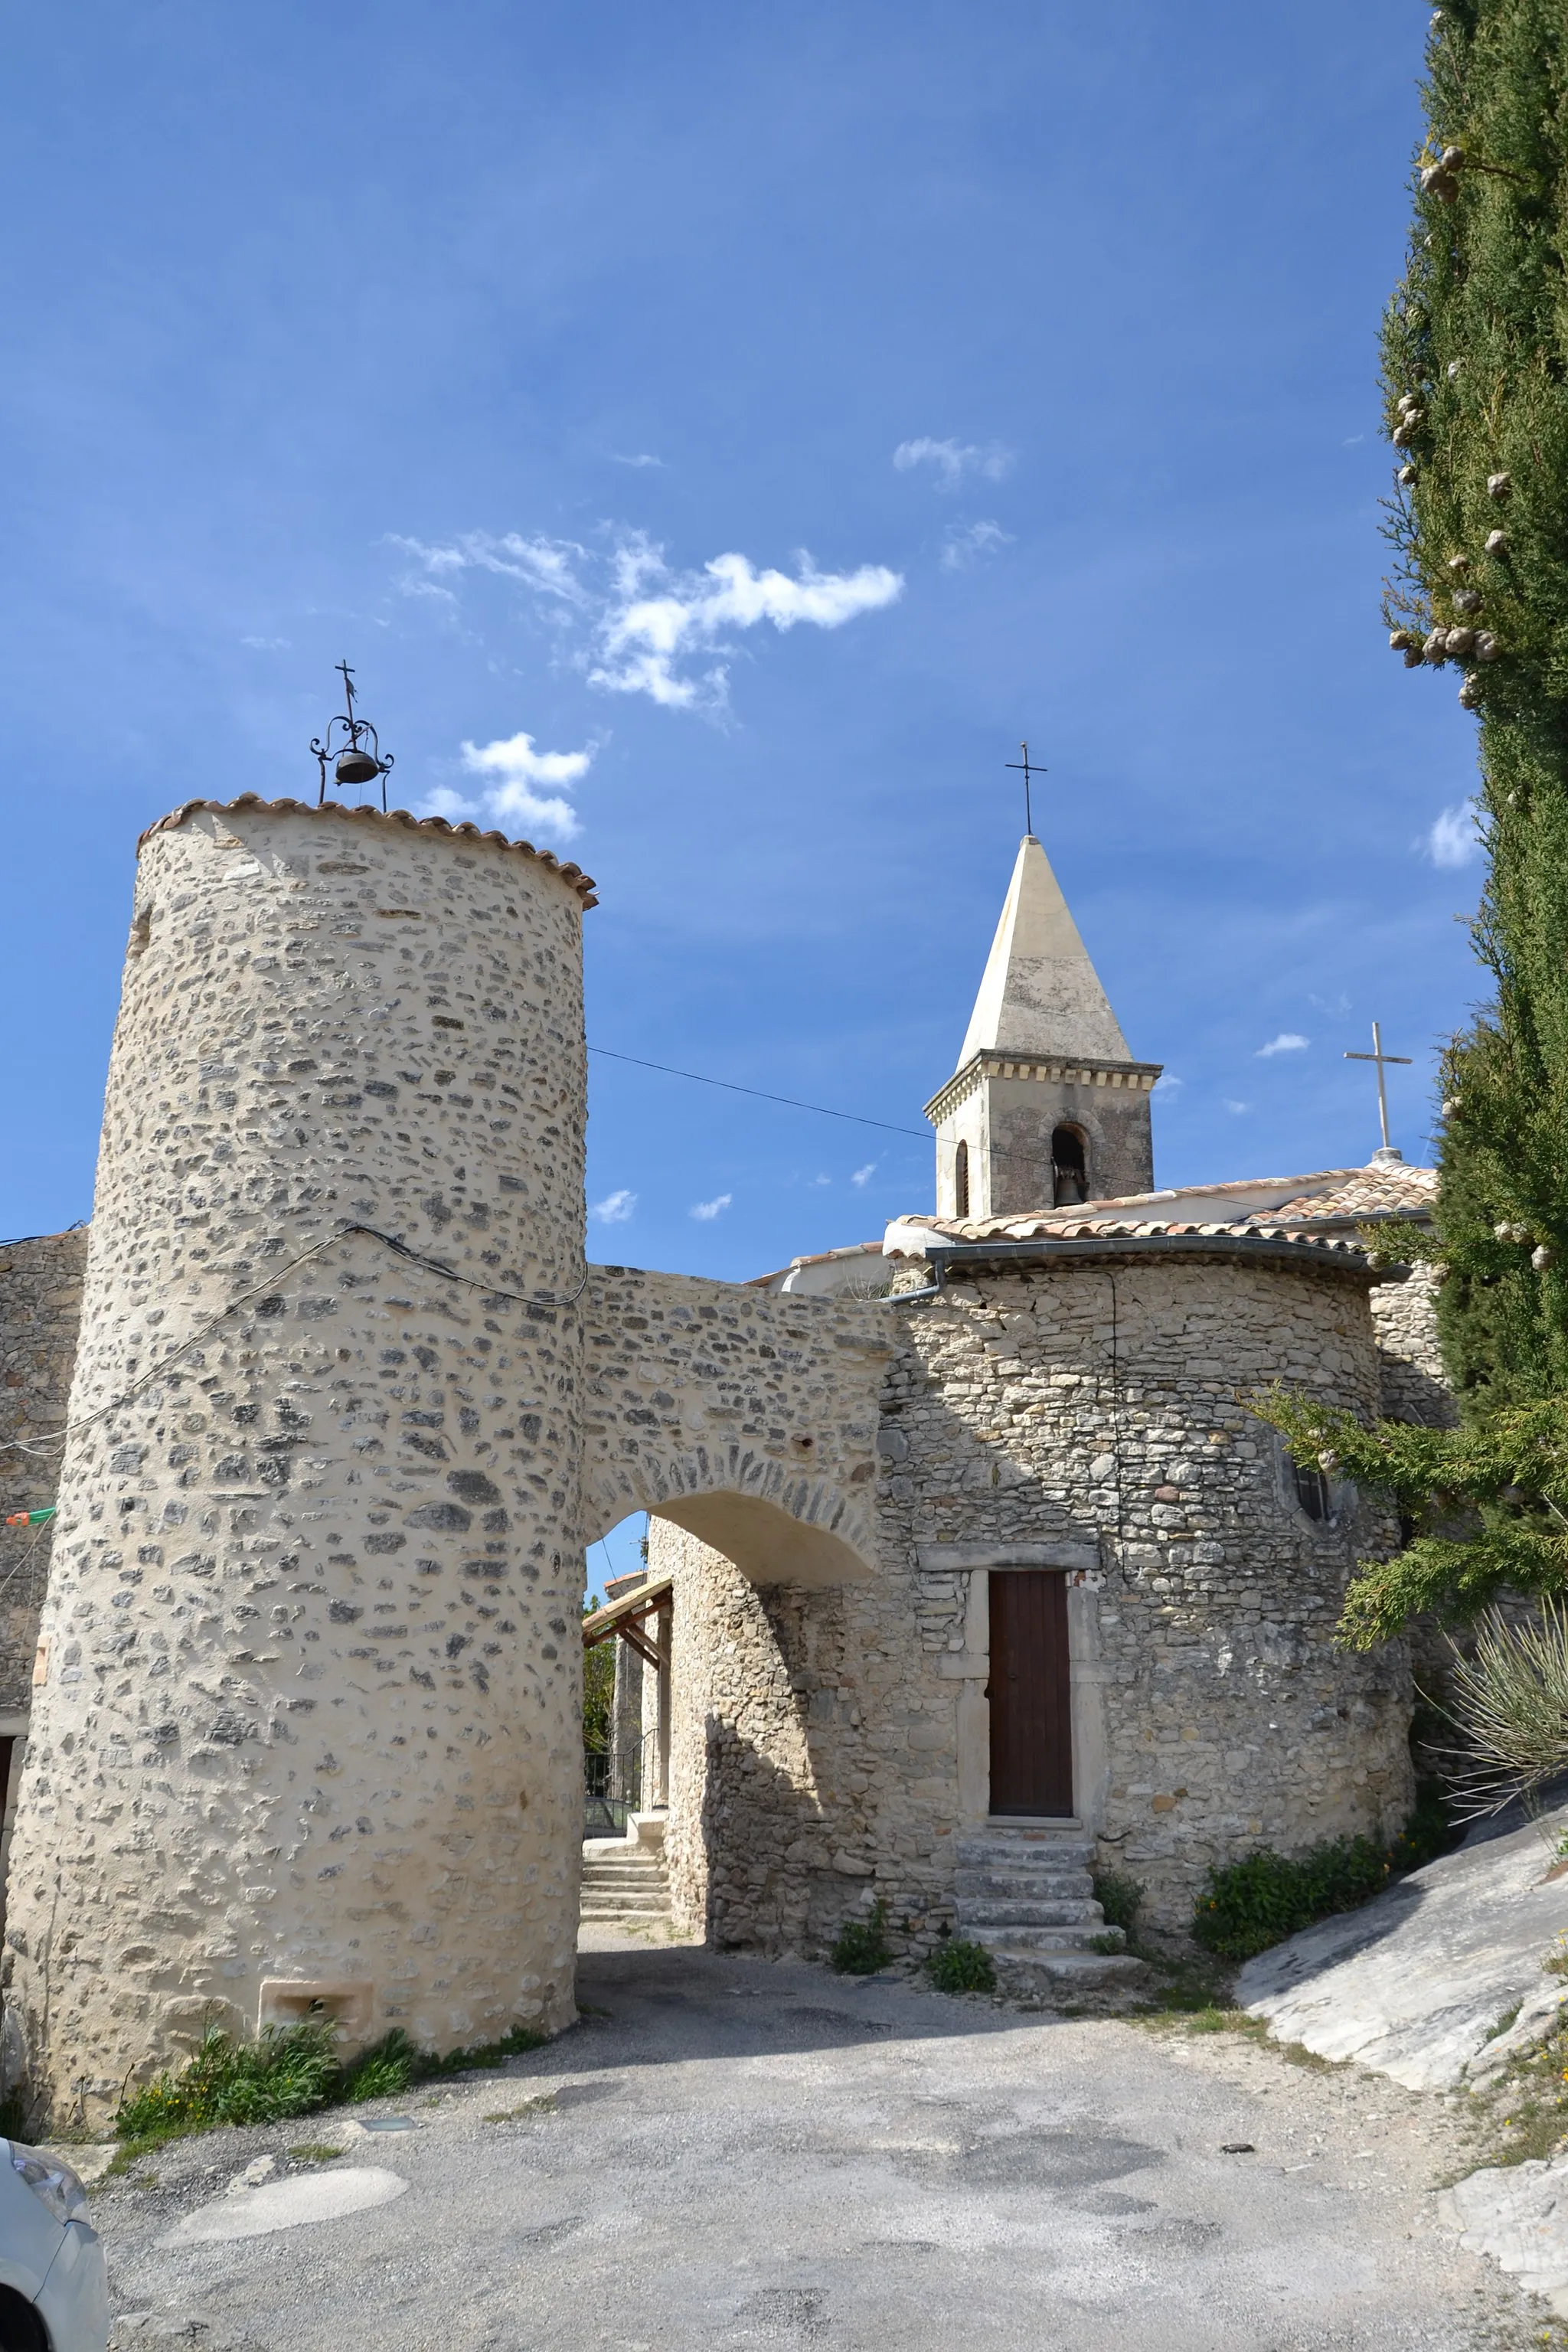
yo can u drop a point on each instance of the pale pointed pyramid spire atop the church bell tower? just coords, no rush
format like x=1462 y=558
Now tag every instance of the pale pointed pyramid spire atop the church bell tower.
x=1040 y=991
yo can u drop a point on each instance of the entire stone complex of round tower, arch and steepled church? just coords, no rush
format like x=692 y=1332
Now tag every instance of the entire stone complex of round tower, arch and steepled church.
x=967 y=1568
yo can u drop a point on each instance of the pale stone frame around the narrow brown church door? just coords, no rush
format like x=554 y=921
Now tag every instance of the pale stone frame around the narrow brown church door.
x=974 y=1565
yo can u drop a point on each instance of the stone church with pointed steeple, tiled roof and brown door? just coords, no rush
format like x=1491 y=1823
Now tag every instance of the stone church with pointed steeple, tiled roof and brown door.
x=1101 y=1624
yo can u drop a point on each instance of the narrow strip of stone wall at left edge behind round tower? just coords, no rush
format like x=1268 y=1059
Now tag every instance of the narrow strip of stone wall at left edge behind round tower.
x=41 y=1309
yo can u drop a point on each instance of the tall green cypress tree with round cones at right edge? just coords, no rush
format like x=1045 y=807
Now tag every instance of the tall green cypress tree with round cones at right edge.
x=1475 y=368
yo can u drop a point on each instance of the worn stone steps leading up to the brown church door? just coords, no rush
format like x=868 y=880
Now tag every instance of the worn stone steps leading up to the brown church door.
x=1026 y=1892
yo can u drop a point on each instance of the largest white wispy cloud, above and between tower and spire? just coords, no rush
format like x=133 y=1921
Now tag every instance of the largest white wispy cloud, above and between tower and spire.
x=643 y=627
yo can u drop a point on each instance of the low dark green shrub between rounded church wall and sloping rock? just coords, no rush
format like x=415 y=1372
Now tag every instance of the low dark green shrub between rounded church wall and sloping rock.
x=1268 y=1897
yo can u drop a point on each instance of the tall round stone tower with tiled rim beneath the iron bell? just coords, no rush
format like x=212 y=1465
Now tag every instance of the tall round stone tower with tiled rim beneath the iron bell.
x=307 y=1692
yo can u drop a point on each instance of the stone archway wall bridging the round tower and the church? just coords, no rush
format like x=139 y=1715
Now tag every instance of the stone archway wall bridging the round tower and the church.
x=744 y=1417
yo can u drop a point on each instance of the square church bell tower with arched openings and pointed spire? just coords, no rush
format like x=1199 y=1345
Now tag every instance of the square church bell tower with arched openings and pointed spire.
x=1047 y=1107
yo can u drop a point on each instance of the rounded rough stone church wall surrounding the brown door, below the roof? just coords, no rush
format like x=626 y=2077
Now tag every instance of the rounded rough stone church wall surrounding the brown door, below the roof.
x=1080 y=1415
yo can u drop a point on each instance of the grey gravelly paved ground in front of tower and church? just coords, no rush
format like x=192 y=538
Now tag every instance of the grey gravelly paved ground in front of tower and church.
x=735 y=2153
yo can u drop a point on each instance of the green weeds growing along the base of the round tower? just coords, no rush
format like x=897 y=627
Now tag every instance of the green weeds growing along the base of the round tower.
x=290 y=2071
